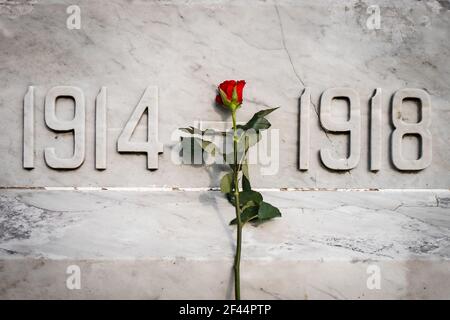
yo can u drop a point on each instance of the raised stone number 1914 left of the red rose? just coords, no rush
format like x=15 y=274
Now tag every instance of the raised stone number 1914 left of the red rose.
x=149 y=101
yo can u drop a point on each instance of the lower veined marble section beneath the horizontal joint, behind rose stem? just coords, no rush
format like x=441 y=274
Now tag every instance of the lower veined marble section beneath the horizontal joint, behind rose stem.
x=168 y=244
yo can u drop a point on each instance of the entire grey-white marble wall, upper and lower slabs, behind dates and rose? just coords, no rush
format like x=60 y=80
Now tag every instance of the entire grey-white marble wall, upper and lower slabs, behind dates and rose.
x=130 y=242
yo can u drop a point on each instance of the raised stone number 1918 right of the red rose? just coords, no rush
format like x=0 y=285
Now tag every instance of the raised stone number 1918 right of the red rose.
x=353 y=127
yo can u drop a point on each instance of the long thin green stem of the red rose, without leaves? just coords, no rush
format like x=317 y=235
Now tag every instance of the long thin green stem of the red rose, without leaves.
x=237 y=258
